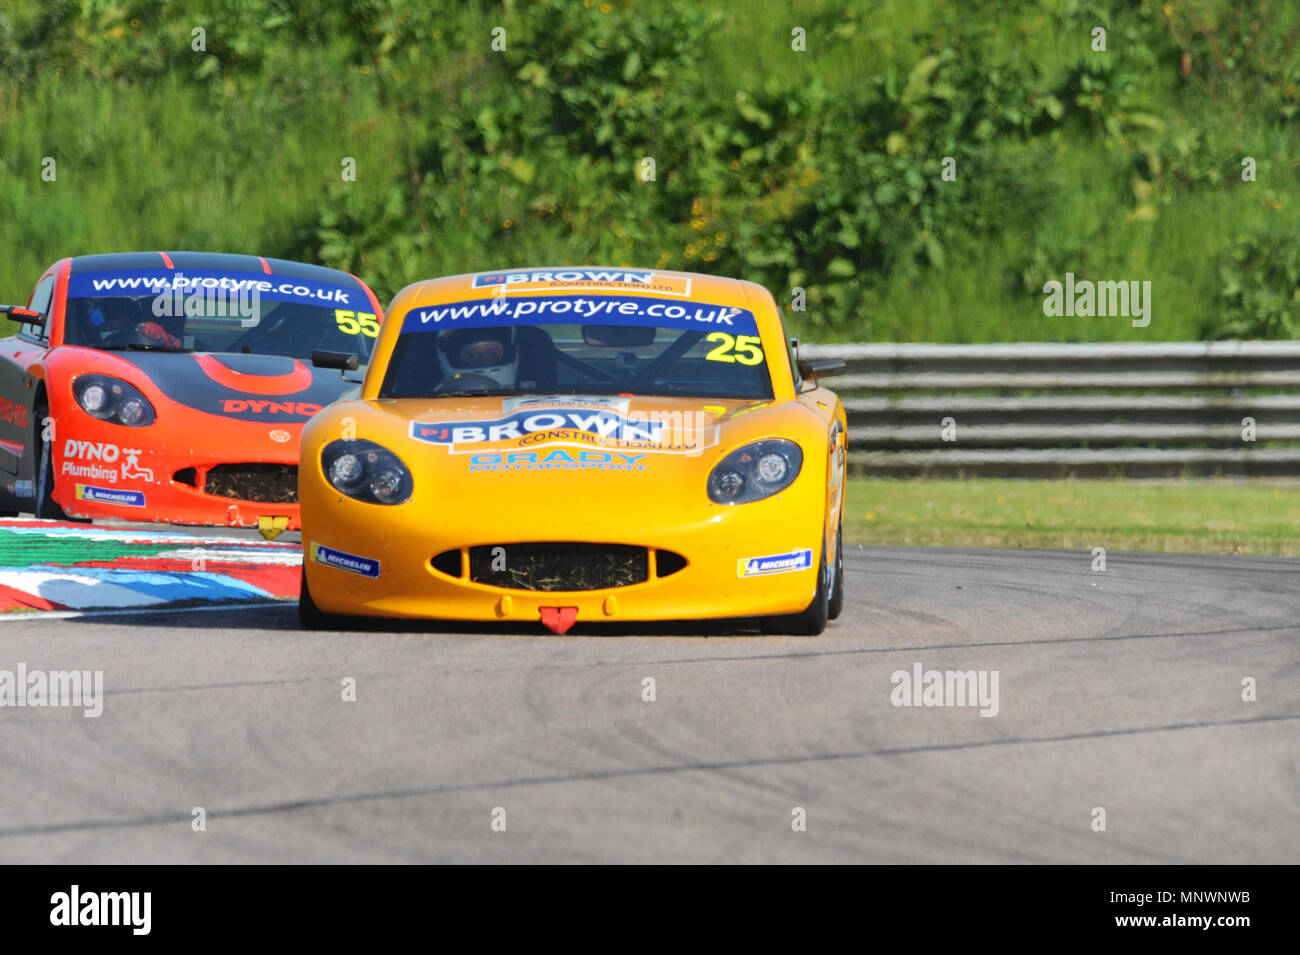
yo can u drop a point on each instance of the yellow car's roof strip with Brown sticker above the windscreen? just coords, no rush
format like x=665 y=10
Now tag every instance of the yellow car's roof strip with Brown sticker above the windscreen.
x=579 y=280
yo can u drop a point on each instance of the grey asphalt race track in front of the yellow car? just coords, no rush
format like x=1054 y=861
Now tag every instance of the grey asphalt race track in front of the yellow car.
x=1120 y=691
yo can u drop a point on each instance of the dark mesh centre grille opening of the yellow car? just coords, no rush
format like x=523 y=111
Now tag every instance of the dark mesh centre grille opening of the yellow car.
x=558 y=566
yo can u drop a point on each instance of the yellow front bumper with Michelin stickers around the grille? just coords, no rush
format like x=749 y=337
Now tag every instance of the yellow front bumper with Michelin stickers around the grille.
x=396 y=548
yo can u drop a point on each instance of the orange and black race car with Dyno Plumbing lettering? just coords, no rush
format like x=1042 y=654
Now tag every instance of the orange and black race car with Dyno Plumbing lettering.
x=174 y=387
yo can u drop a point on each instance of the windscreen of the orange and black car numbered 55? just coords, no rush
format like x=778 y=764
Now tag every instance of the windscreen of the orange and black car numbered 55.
x=216 y=312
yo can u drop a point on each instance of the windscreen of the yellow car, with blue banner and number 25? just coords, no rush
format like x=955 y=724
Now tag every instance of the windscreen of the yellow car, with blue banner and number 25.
x=591 y=345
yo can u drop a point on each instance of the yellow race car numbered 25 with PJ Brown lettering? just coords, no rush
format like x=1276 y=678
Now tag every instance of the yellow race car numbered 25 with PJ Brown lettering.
x=578 y=445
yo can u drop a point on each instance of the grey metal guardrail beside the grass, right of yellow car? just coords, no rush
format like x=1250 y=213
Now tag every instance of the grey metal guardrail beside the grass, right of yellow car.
x=1149 y=410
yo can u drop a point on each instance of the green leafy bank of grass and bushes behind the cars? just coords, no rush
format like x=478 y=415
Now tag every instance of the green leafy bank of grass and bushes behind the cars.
x=820 y=170
